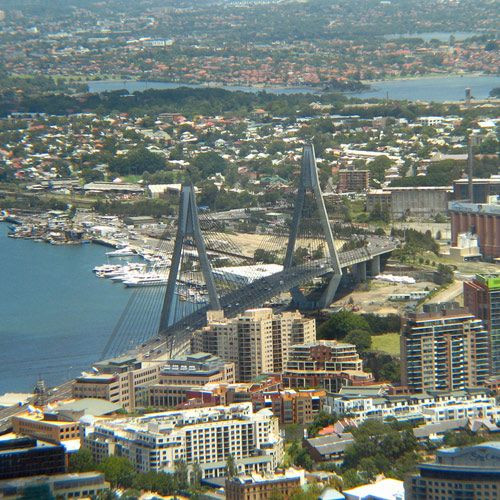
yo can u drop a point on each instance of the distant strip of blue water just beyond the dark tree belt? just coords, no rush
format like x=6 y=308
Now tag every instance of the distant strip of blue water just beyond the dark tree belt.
x=437 y=89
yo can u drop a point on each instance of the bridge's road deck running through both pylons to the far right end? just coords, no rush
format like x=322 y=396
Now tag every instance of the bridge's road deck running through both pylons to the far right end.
x=259 y=291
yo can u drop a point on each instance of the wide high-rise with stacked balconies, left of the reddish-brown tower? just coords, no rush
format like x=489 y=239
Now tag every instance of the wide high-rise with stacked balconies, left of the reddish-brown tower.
x=444 y=350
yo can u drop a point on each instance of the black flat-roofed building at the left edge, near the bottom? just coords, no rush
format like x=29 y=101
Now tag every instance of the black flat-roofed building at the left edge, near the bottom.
x=25 y=456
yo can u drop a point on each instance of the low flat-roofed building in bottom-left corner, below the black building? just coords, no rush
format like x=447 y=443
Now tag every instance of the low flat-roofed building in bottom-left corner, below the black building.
x=60 y=486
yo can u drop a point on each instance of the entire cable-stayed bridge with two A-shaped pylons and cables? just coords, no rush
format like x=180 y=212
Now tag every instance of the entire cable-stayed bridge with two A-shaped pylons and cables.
x=213 y=268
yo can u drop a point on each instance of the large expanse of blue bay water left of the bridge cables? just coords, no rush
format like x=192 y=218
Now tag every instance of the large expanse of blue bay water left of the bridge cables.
x=55 y=314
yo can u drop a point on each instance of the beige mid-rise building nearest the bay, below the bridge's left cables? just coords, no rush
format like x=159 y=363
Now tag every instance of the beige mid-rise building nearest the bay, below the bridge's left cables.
x=116 y=380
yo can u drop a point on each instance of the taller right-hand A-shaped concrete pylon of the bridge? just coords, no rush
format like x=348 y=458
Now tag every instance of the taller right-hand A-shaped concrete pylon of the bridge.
x=309 y=182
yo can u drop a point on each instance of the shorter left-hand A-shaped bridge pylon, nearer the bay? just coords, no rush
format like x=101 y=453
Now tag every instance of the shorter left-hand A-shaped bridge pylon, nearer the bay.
x=188 y=228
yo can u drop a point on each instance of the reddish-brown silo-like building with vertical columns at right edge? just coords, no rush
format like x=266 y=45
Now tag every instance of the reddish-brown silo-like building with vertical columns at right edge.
x=482 y=220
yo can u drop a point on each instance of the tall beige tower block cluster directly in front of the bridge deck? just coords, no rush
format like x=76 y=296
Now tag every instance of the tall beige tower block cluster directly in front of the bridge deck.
x=256 y=341
